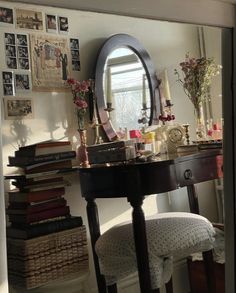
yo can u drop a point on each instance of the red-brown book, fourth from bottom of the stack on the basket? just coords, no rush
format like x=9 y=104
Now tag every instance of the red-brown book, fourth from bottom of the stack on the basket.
x=35 y=196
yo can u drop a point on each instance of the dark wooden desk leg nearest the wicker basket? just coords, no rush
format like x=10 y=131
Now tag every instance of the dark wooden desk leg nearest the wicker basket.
x=94 y=228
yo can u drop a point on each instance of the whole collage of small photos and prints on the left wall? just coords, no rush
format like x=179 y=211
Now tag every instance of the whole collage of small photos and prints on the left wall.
x=57 y=56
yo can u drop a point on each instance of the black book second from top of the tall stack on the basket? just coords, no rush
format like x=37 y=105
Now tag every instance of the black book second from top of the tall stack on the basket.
x=26 y=161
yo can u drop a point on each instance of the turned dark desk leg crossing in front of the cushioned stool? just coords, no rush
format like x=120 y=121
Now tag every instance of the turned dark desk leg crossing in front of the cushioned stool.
x=140 y=239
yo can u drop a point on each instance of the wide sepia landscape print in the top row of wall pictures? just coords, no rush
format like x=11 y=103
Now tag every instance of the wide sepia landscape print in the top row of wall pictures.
x=29 y=19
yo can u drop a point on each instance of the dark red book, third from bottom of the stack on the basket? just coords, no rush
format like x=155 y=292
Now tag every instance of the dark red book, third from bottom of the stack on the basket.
x=26 y=209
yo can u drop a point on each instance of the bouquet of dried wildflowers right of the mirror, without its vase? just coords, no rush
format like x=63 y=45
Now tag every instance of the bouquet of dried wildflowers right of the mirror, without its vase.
x=196 y=77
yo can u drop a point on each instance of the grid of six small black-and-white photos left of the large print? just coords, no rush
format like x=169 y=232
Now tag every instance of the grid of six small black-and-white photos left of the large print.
x=17 y=51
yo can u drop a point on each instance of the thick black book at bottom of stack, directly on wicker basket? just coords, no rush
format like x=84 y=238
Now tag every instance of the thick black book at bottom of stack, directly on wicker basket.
x=22 y=232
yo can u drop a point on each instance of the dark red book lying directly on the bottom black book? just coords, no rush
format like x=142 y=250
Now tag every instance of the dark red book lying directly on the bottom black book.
x=37 y=217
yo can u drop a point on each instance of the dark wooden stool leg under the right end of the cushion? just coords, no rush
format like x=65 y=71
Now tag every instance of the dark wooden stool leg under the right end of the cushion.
x=210 y=272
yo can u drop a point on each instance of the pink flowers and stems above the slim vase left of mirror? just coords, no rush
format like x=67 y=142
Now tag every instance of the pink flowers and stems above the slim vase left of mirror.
x=79 y=90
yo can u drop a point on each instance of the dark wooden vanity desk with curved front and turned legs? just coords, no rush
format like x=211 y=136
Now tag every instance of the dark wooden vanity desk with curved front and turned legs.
x=134 y=181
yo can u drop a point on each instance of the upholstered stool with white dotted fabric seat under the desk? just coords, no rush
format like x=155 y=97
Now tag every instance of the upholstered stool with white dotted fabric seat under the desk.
x=169 y=235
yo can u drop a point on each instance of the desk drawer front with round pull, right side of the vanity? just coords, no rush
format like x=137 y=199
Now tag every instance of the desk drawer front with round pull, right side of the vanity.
x=203 y=169
